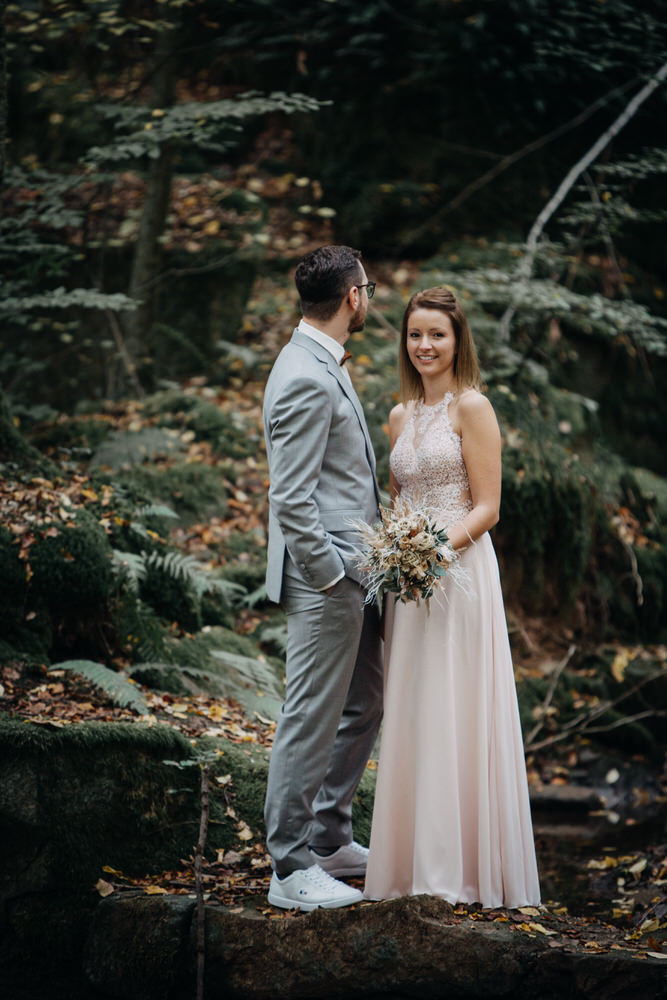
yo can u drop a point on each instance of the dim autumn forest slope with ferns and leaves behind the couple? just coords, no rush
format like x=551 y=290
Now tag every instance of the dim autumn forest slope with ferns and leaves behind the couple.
x=165 y=164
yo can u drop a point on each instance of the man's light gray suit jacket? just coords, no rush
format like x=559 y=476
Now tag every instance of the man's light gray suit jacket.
x=321 y=465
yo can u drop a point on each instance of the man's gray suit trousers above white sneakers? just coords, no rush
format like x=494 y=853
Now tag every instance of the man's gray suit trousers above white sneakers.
x=328 y=722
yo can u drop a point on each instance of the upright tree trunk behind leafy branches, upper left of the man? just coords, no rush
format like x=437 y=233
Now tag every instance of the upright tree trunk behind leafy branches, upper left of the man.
x=148 y=251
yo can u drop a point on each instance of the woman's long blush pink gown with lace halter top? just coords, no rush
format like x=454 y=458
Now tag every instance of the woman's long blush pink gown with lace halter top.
x=451 y=815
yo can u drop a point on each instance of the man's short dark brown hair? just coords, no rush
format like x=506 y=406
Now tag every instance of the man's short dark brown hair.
x=324 y=277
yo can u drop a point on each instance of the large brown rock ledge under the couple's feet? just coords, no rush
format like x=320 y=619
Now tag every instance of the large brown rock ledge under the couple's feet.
x=141 y=948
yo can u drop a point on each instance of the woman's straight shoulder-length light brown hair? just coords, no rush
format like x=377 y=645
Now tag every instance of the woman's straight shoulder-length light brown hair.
x=466 y=365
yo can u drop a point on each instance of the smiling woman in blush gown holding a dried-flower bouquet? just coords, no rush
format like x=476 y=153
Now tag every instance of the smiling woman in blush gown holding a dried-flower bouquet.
x=451 y=815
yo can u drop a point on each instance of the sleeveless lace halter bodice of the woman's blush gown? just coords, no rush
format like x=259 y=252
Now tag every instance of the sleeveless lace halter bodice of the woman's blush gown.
x=428 y=463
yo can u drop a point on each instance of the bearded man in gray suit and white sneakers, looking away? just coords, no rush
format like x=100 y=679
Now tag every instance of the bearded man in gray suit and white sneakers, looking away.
x=322 y=470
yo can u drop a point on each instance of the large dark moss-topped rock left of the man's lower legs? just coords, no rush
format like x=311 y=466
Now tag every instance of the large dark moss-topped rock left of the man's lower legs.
x=93 y=794
